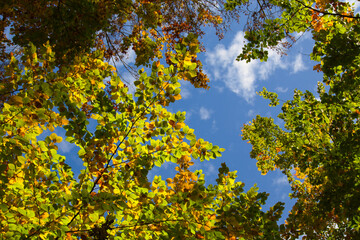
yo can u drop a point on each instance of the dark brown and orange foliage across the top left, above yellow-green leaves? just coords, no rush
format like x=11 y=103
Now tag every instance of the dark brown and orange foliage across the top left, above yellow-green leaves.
x=150 y=28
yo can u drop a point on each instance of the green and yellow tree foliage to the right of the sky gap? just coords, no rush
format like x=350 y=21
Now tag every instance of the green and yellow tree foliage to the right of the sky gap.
x=318 y=146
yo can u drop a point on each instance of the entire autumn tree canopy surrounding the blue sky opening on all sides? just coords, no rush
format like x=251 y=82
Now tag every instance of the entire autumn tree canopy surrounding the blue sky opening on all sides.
x=59 y=64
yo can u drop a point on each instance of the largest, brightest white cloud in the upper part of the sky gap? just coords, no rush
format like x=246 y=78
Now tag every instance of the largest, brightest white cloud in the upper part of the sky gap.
x=240 y=77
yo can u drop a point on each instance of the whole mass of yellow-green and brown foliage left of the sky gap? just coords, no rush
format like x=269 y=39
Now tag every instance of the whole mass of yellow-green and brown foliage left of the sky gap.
x=60 y=77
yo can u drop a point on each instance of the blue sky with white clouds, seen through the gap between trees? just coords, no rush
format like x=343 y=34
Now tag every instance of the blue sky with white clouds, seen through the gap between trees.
x=218 y=114
